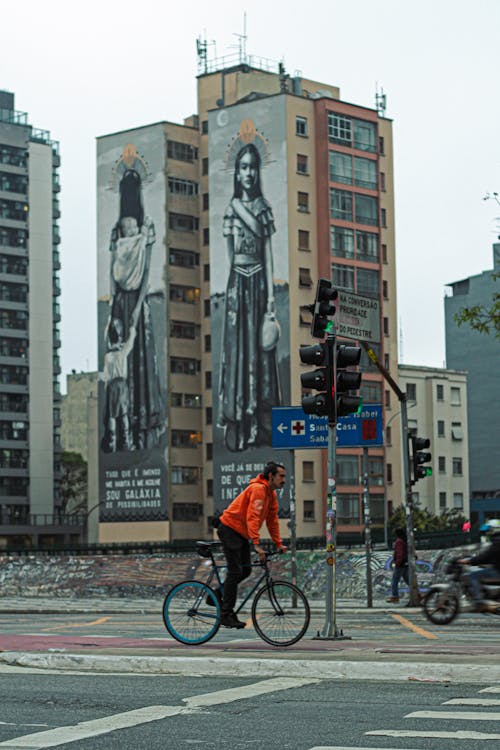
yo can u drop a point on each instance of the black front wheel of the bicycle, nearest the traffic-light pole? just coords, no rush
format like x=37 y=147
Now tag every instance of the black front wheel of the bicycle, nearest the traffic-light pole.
x=280 y=613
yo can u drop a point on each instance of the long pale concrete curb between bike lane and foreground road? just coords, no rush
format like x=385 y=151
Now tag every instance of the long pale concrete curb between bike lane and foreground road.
x=196 y=666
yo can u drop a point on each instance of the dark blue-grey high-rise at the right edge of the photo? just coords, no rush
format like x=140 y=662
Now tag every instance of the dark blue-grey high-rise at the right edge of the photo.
x=479 y=355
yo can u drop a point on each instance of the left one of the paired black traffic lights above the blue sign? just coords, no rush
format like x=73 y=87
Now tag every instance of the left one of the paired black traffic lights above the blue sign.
x=320 y=380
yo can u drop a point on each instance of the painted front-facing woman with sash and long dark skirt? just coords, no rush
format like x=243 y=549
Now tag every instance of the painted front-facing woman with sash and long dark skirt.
x=249 y=384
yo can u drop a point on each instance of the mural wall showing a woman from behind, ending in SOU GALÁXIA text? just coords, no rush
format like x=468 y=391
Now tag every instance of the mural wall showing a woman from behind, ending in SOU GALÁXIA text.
x=131 y=326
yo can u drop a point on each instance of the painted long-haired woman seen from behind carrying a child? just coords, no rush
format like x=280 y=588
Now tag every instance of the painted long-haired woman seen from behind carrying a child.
x=132 y=240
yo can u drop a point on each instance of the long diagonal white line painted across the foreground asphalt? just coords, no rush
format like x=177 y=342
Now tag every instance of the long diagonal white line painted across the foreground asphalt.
x=86 y=729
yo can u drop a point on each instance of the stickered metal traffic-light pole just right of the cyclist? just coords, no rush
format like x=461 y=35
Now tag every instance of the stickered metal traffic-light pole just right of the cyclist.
x=330 y=629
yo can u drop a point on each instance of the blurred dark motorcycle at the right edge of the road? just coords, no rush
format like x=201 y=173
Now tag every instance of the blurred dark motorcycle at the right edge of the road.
x=444 y=601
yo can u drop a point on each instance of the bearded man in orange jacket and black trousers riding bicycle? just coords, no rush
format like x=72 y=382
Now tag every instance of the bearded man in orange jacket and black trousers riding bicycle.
x=240 y=524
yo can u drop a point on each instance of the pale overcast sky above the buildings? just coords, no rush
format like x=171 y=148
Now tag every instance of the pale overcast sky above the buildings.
x=84 y=70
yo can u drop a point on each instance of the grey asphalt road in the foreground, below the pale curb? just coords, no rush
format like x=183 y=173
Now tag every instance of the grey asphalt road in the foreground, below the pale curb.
x=93 y=712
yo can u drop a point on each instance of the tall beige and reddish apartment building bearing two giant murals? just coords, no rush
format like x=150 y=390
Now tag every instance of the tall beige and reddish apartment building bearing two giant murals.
x=220 y=224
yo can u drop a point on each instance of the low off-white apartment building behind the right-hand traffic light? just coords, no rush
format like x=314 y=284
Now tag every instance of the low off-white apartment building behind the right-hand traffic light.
x=437 y=409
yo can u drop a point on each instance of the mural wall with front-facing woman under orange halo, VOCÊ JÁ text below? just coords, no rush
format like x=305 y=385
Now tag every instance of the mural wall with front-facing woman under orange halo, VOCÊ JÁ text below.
x=249 y=285
